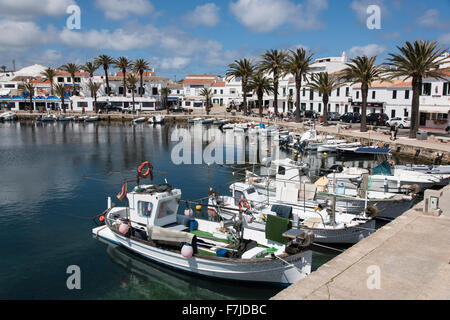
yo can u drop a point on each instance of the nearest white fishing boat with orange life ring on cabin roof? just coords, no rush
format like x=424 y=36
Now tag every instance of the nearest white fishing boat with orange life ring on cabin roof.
x=150 y=227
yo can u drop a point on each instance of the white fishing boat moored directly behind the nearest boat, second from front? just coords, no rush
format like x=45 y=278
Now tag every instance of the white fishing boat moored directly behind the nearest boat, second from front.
x=328 y=226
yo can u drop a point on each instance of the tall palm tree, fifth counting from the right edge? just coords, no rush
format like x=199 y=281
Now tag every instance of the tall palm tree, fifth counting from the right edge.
x=274 y=62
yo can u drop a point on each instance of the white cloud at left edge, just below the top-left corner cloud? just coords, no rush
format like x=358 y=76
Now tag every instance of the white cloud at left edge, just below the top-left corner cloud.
x=22 y=35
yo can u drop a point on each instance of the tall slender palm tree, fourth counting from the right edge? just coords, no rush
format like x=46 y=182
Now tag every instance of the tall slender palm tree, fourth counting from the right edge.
x=299 y=65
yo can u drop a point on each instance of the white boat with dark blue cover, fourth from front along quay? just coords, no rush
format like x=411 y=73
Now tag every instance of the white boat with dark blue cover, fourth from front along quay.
x=385 y=178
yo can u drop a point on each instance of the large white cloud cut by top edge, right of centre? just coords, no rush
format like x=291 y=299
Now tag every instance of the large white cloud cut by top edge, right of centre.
x=267 y=15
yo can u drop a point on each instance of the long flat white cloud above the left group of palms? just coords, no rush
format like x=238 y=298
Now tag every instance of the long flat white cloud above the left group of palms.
x=119 y=39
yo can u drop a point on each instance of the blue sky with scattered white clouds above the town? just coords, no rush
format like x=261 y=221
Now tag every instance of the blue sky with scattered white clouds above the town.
x=196 y=36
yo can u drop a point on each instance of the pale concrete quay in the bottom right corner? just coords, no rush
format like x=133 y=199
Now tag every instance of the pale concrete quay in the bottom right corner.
x=408 y=258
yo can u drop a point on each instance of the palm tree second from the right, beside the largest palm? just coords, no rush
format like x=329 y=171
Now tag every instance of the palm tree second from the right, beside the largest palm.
x=364 y=71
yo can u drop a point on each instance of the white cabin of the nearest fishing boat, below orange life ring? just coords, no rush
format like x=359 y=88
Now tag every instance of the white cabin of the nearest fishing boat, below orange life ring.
x=153 y=205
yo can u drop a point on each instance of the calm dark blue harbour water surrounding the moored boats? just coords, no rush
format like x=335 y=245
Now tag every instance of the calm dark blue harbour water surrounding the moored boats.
x=55 y=177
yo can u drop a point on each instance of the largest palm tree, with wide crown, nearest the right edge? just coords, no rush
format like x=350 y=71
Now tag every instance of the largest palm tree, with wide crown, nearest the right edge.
x=416 y=61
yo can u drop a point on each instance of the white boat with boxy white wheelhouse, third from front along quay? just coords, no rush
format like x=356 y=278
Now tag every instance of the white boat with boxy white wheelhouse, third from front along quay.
x=291 y=184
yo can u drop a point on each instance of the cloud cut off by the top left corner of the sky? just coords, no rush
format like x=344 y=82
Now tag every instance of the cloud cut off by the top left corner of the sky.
x=21 y=9
